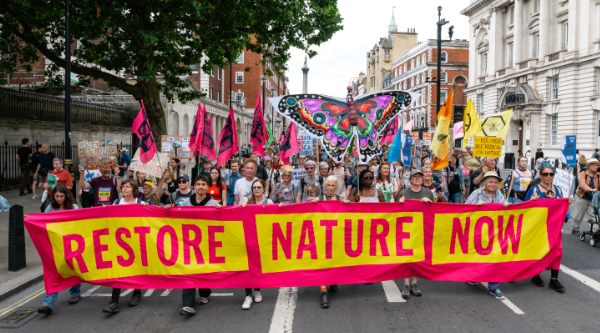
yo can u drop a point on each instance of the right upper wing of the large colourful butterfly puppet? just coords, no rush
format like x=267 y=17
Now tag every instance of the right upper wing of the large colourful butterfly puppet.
x=381 y=107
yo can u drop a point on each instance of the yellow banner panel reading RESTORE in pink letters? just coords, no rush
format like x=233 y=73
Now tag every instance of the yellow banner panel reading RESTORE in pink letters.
x=153 y=246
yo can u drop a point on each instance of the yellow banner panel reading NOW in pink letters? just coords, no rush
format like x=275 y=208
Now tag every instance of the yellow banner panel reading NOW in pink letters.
x=490 y=237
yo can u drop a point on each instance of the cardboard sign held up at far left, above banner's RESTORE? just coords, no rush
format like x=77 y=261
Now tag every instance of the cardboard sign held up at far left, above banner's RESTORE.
x=96 y=154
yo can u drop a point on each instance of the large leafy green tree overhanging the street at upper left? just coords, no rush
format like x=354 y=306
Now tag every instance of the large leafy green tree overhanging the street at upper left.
x=155 y=41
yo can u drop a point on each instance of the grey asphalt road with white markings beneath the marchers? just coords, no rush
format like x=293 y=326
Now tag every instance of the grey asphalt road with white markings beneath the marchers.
x=444 y=307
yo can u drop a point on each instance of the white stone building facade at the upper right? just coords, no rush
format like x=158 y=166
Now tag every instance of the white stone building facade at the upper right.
x=540 y=58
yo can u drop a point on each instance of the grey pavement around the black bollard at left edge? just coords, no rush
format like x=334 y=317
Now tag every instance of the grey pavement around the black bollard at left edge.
x=11 y=282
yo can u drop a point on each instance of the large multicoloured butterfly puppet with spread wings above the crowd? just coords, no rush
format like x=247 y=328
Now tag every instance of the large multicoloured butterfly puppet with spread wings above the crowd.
x=335 y=121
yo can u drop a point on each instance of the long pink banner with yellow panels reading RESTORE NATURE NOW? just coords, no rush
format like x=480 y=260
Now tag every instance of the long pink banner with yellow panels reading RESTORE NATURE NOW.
x=265 y=246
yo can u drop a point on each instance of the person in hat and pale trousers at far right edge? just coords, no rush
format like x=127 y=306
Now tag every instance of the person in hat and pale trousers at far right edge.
x=589 y=183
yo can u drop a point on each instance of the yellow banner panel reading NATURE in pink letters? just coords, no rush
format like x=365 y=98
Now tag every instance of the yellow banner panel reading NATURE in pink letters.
x=325 y=240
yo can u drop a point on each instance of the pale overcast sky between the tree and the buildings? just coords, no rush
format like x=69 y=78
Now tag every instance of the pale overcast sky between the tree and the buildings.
x=344 y=55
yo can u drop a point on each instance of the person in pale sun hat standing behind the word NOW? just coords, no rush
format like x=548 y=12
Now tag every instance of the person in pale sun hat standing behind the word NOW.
x=489 y=192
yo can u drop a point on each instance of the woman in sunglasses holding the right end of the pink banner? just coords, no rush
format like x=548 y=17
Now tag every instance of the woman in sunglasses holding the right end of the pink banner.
x=547 y=190
